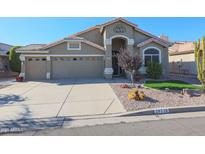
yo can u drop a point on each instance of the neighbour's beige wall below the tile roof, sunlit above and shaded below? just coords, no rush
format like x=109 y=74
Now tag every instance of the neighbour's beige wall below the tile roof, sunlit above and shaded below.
x=188 y=63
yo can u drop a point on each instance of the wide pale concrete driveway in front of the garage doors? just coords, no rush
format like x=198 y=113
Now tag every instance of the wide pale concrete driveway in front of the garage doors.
x=58 y=98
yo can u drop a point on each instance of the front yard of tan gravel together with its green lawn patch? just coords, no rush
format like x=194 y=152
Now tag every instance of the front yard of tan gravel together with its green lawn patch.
x=158 y=97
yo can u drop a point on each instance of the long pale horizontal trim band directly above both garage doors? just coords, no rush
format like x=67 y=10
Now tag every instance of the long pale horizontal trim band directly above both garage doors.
x=58 y=55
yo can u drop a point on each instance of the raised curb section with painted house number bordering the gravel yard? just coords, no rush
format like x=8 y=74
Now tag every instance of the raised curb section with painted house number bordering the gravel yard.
x=166 y=110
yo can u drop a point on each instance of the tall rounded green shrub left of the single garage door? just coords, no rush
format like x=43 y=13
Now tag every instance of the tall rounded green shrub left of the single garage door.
x=14 y=61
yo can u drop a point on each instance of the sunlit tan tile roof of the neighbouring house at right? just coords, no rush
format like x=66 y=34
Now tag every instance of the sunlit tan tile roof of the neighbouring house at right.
x=181 y=48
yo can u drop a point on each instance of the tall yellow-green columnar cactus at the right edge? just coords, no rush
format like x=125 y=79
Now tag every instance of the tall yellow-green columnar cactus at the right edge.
x=200 y=60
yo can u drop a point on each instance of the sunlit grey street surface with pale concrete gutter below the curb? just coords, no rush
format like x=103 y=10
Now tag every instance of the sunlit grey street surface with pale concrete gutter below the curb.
x=133 y=125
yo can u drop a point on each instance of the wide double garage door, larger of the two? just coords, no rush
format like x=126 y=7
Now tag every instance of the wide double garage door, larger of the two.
x=77 y=67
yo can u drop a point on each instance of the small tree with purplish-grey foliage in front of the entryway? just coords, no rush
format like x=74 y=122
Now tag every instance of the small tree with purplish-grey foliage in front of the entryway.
x=129 y=63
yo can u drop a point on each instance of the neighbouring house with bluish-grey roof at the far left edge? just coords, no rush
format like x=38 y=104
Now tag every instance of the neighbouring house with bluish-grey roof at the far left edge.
x=4 y=57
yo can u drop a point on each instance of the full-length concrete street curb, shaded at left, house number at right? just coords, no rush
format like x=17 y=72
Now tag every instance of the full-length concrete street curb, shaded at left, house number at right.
x=24 y=125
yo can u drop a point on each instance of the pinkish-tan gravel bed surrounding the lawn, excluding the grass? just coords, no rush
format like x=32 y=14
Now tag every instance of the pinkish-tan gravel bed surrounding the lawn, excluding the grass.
x=156 y=98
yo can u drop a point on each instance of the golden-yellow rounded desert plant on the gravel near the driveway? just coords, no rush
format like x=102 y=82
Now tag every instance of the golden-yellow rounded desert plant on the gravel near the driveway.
x=136 y=94
